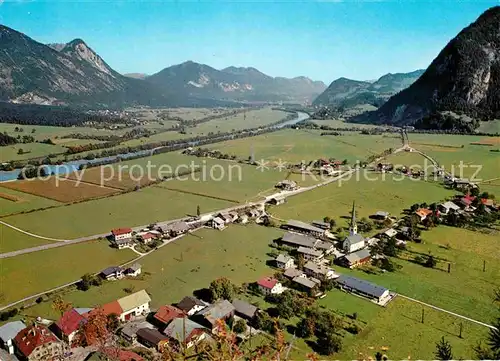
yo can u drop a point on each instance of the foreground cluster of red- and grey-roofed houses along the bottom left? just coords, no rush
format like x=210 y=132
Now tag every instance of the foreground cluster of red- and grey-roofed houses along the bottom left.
x=185 y=323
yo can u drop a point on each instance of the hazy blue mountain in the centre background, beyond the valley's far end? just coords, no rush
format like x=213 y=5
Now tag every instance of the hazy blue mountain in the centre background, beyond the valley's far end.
x=233 y=83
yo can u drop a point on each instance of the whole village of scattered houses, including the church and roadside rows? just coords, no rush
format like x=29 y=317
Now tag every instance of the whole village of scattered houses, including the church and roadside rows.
x=308 y=262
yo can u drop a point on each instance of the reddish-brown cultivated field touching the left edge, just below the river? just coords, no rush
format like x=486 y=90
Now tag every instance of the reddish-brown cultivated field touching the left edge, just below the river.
x=59 y=189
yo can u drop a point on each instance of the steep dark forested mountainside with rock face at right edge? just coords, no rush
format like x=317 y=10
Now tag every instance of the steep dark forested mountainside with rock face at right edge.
x=463 y=78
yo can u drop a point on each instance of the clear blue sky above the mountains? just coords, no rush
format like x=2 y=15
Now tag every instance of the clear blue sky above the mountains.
x=323 y=40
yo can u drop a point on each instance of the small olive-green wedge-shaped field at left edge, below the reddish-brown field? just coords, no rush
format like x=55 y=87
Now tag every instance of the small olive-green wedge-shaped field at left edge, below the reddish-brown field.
x=25 y=202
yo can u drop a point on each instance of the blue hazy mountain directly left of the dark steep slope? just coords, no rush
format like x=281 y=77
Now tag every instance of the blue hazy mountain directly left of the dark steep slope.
x=347 y=92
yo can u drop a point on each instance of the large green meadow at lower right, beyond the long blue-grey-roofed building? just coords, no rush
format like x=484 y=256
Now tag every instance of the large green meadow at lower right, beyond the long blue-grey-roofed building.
x=467 y=290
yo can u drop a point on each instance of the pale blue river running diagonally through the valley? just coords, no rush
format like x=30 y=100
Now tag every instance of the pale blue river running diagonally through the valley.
x=74 y=165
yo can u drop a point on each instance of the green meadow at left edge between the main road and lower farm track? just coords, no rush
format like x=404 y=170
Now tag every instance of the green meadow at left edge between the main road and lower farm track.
x=43 y=270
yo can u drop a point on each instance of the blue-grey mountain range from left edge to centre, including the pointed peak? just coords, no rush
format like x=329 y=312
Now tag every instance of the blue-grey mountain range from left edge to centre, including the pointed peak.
x=73 y=74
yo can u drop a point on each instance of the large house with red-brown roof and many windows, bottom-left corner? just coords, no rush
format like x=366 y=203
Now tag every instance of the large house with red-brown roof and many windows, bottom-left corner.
x=37 y=343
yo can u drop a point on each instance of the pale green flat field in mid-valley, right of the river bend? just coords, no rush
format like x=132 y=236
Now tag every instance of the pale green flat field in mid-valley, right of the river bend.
x=302 y=145
